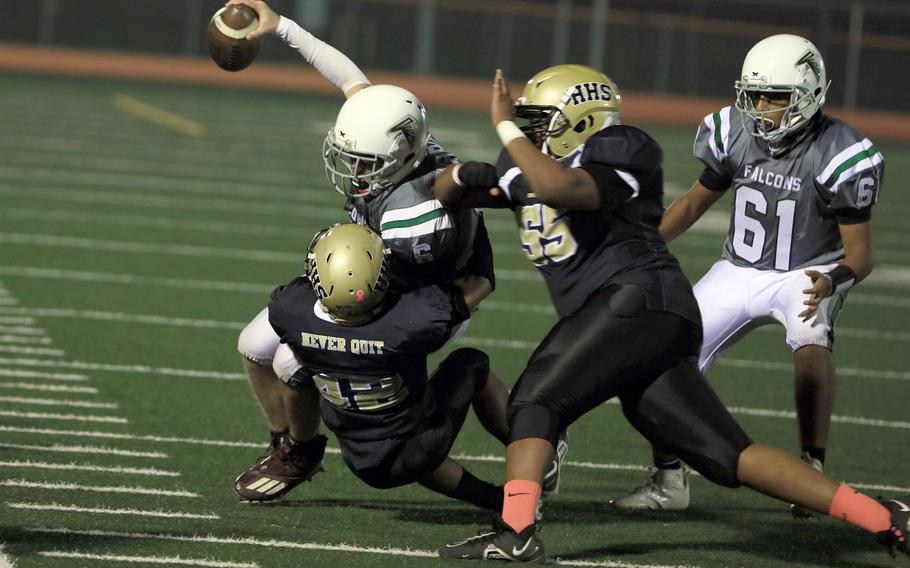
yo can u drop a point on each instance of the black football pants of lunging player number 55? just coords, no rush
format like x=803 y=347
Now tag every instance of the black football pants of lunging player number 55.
x=614 y=347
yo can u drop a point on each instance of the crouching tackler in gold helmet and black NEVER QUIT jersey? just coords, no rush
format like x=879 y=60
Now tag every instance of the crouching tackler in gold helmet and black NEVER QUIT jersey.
x=364 y=347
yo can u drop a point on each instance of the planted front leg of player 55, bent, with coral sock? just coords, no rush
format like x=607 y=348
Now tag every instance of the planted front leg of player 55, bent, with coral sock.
x=568 y=375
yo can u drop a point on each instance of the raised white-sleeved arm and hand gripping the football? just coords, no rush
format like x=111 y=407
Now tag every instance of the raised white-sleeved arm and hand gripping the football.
x=334 y=65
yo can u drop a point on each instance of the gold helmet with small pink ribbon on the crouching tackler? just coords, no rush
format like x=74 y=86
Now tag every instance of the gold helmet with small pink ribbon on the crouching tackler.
x=348 y=267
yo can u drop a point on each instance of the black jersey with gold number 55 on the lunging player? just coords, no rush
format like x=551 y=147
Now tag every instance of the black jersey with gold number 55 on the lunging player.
x=581 y=251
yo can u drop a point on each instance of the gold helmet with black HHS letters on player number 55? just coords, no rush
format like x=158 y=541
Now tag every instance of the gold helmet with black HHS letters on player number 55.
x=565 y=105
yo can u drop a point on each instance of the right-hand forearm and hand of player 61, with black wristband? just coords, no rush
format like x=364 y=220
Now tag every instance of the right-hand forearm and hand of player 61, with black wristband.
x=859 y=258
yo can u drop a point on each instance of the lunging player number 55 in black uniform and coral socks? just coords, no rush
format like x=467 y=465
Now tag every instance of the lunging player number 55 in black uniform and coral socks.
x=587 y=195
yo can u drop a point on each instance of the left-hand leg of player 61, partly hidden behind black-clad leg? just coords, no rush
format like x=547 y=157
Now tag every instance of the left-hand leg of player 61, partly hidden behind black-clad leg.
x=723 y=300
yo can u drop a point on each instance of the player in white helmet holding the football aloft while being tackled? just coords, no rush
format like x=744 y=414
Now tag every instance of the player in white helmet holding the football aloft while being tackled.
x=380 y=155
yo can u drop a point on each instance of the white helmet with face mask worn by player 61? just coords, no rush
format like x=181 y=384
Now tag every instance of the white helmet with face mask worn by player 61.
x=781 y=65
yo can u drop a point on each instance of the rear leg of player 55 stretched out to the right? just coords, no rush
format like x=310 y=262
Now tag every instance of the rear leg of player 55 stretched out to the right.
x=679 y=410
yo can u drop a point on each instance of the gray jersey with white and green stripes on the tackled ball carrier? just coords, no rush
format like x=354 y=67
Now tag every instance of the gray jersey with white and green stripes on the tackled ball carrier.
x=430 y=244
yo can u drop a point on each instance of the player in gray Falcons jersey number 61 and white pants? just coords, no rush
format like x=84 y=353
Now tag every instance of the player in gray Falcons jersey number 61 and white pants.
x=803 y=185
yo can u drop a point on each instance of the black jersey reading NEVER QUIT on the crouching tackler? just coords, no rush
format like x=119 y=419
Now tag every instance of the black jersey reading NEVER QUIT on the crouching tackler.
x=372 y=377
